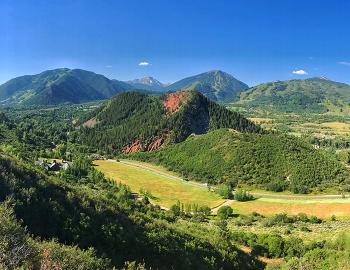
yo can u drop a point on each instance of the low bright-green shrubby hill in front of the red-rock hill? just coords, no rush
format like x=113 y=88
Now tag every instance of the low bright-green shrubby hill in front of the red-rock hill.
x=271 y=161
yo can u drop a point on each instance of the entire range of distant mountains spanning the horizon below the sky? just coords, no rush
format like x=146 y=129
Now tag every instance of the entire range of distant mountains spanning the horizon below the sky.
x=317 y=95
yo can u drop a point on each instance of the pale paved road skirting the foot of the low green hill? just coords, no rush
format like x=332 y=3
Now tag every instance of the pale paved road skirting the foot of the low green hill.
x=255 y=194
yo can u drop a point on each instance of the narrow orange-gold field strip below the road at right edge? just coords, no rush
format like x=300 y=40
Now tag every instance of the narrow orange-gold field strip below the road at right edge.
x=323 y=208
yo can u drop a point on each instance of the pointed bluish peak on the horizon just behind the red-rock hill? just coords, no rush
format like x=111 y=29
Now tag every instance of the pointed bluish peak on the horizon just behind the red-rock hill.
x=216 y=85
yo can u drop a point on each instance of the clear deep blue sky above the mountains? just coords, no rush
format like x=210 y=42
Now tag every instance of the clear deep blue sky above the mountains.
x=256 y=41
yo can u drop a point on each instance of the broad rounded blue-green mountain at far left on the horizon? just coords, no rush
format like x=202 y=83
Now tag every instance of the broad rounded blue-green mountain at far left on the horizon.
x=59 y=86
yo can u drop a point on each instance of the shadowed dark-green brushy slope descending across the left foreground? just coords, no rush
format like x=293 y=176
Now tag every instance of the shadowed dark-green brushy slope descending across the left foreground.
x=86 y=210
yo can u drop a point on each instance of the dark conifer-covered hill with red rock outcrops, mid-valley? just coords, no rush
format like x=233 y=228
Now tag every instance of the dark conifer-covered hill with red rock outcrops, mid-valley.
x=133 y=121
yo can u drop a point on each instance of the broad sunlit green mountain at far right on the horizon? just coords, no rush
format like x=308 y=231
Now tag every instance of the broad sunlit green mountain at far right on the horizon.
x=318 y=95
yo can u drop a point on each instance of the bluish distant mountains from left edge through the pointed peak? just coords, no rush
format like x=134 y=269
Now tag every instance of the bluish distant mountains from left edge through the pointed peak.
x=77 y=86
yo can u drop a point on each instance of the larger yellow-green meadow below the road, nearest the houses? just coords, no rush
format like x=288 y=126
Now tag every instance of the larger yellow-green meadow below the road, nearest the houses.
x=166 y=191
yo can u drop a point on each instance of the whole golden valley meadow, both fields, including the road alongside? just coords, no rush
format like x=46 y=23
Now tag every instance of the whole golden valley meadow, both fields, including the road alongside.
x=167 y=188
